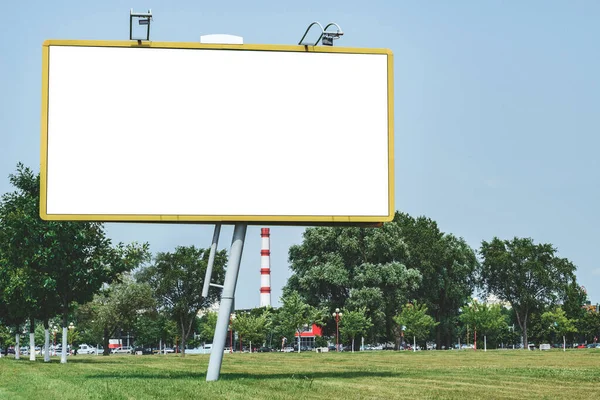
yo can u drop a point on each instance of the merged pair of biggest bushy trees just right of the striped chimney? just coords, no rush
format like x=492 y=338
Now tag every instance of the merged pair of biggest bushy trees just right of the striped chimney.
x=381 y=269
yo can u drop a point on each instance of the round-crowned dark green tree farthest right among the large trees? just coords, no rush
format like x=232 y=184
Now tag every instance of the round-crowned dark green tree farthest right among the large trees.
x=527 y=275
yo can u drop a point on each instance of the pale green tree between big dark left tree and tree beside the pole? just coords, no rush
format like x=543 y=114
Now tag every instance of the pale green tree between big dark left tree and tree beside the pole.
x=117 y=307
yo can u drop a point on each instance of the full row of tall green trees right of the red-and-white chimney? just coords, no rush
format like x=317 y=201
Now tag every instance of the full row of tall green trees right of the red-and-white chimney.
x=411 y=261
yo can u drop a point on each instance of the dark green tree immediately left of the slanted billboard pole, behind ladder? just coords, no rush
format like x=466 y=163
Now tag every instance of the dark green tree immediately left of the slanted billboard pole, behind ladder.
x=175 y=279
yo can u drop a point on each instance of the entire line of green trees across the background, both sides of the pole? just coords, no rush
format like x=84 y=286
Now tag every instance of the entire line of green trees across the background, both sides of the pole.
x=405 y=279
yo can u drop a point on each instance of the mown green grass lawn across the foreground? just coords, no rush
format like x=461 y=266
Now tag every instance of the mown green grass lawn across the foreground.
x=495 y=374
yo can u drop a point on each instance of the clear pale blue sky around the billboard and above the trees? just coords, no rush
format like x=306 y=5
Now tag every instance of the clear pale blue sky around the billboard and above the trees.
x=496 y=108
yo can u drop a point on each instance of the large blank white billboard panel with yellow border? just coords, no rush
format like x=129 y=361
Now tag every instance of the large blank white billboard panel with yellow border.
x=210 y=133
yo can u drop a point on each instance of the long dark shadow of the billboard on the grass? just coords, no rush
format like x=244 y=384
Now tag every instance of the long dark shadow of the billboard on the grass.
x=238 y=376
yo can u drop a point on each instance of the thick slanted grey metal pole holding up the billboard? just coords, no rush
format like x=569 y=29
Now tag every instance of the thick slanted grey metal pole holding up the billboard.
x=233 y=268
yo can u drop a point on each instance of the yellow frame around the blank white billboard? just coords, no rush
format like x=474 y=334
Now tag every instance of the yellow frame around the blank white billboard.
x=210 y=219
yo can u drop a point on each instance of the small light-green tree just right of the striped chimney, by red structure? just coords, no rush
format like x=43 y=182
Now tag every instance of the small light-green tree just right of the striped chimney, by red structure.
x=295 y=314
